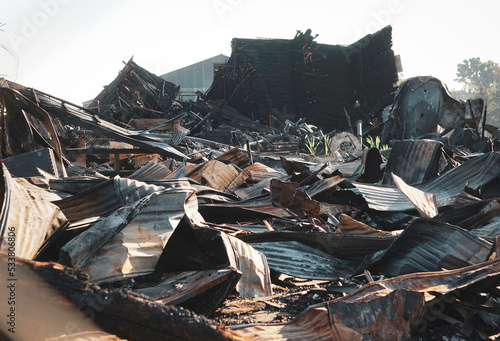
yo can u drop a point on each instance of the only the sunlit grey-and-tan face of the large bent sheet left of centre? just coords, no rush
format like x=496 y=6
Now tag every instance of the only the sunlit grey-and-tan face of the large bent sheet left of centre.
x=137 y=247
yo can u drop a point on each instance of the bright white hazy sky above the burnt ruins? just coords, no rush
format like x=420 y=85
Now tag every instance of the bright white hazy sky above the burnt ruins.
x=72 y=48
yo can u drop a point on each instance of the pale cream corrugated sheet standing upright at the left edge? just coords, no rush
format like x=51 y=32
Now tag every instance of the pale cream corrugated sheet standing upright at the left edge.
x=27 y=219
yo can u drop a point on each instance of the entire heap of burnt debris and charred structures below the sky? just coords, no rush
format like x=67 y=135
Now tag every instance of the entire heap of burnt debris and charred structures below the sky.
x=237 y=217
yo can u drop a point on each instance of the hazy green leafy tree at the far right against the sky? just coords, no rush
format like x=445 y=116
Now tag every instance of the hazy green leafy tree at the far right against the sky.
x=482 y=79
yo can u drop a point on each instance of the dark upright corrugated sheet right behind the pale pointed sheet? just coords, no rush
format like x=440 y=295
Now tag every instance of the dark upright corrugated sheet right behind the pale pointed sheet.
x=414 y=161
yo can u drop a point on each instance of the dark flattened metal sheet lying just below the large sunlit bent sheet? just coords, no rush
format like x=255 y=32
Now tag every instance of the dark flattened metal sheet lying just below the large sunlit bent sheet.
x=186 y=288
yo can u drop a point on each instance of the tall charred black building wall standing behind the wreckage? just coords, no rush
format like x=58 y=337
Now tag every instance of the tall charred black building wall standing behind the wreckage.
x=331 y=86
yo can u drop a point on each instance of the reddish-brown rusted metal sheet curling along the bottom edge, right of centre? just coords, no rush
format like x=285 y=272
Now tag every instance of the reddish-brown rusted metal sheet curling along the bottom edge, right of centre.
x=390 y=317
